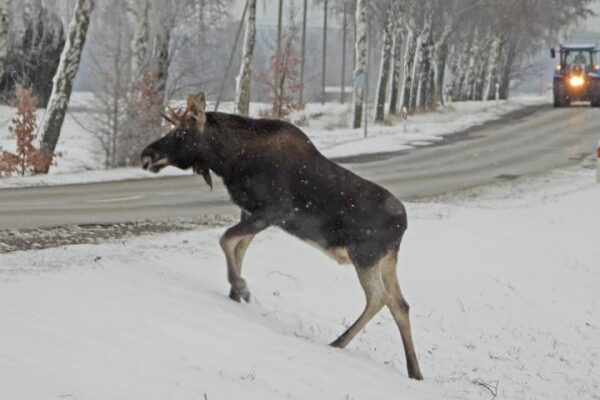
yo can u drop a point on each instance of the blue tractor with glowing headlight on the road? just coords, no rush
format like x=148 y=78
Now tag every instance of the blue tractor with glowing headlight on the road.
x=577 y=76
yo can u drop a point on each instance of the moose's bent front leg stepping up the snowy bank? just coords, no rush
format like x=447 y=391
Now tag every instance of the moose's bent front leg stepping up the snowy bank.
x=234 y=243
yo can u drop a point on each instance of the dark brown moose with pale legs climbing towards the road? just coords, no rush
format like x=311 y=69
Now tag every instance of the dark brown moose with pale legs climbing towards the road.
x=277 y=177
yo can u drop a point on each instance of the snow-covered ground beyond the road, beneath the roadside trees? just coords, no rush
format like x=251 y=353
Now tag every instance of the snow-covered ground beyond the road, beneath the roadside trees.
x=327 y=125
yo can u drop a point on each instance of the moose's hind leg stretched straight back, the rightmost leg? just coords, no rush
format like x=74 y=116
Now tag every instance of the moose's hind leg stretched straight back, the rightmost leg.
x=400 y=311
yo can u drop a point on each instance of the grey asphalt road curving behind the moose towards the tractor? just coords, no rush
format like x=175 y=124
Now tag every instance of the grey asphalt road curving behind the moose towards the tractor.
x=537 y=140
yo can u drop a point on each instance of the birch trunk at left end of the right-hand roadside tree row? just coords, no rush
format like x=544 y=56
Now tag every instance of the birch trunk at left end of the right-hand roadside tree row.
x=360 y=68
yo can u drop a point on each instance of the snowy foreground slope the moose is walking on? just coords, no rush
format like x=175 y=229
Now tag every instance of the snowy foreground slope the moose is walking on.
x=503 y=284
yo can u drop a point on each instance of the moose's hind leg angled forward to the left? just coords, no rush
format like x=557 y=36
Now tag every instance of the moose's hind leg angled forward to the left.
x=375 y=293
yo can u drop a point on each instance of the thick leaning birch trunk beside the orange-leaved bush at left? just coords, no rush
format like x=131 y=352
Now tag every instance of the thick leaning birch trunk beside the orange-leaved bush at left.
x=65 y=75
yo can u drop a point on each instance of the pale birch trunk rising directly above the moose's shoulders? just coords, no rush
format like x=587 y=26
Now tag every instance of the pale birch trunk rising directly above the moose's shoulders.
x=244 y=80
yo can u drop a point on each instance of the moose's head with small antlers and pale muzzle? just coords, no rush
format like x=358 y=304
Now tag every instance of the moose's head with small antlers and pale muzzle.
x=183 y=146
